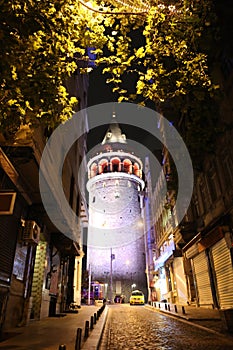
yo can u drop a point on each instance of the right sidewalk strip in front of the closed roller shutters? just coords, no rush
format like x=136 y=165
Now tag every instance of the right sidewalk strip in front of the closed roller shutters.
x=209 y=319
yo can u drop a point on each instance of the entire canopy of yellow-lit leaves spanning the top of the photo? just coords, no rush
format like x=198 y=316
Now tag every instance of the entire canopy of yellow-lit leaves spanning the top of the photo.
x=171 y=64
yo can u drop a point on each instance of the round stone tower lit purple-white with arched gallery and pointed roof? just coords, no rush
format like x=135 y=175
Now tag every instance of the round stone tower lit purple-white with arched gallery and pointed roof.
x=116 y=250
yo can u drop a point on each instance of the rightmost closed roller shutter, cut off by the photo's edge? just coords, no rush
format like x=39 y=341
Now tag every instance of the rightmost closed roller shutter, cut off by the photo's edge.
x=224 y=273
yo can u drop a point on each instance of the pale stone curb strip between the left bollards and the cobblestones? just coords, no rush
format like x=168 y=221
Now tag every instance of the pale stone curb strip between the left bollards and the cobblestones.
x=93 y=341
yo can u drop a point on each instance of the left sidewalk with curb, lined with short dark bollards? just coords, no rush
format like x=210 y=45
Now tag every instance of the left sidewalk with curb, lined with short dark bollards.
x=51 y=332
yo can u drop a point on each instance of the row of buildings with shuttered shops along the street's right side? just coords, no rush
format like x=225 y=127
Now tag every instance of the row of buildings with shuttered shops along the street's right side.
x=203 y=239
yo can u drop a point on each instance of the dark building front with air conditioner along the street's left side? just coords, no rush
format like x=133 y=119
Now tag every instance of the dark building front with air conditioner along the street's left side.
x=40 y=267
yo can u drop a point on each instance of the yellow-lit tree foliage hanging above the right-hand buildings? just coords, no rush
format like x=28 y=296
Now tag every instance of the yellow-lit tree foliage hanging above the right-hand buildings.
x=174 y=67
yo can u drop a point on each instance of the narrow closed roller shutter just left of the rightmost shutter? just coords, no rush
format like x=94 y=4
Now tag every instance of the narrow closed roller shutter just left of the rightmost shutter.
x=202 y=279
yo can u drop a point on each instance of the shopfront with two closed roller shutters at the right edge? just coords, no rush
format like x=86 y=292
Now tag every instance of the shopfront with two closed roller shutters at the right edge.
x=211 y=260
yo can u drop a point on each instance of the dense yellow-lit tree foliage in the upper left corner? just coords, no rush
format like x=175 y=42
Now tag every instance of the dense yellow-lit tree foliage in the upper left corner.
x=41 y=42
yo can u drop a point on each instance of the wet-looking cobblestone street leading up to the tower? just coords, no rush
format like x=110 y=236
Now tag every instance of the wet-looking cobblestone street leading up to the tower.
x=135 y=327
